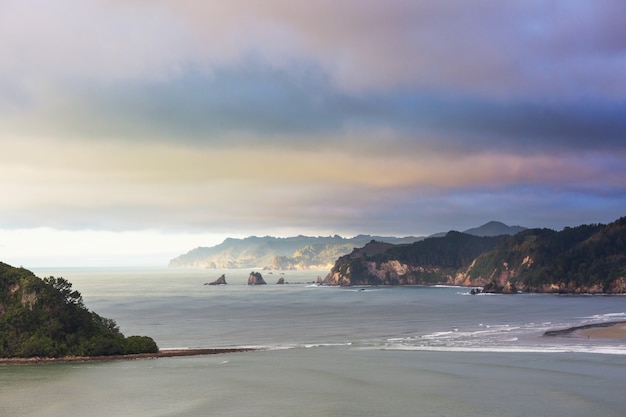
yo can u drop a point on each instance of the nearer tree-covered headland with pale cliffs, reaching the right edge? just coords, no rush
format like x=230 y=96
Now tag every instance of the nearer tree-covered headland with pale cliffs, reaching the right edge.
x=576 y=258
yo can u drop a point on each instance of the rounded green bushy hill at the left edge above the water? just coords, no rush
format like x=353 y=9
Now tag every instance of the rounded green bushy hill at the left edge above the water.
x=47 y=318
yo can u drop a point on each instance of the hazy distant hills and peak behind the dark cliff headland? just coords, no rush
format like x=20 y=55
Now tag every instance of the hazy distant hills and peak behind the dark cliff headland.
x=300 y=252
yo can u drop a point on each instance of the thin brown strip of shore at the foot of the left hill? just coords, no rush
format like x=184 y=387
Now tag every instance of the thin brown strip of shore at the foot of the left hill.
x=167 y=353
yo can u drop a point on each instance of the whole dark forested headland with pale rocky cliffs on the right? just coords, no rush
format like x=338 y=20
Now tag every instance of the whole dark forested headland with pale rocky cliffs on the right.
x=585 y=259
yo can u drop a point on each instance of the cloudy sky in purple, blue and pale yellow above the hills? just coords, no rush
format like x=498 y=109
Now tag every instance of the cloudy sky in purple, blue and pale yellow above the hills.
x=134 y=131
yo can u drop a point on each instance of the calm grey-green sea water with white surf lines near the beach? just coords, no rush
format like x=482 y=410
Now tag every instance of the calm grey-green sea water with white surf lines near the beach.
x=326 y=351
